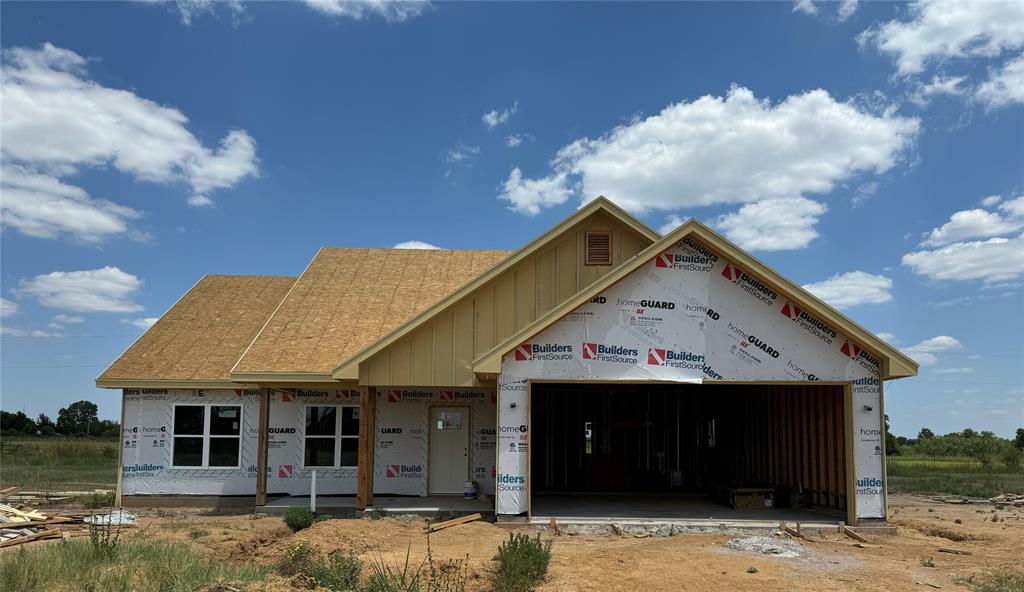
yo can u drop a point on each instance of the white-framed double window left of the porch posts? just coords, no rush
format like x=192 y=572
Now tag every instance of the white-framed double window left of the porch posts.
x=207 y=437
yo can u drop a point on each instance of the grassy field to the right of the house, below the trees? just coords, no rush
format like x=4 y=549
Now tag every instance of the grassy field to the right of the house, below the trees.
x=961 y=477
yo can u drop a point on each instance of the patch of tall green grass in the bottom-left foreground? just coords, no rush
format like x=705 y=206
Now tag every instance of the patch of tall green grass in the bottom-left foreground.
x=75 y=566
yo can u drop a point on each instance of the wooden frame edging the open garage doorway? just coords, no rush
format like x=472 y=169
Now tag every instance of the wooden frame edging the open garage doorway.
x=847 y=422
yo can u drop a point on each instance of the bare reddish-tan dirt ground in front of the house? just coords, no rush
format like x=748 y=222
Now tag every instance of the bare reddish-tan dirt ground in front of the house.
x=688 y=562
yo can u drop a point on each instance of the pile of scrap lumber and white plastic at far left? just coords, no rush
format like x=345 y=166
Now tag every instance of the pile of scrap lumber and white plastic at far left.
x=20 y=526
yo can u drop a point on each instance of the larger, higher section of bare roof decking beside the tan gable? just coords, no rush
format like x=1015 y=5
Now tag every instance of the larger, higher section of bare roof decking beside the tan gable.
x=349 y=299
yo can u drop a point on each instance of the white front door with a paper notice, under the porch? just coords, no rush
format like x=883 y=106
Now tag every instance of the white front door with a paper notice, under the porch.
x=449 y=450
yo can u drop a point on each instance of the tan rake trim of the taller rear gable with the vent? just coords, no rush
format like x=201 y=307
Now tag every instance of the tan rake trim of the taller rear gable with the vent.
x=349 y=369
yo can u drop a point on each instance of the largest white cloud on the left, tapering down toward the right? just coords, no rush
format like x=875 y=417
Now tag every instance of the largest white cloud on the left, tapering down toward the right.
x=56 y=120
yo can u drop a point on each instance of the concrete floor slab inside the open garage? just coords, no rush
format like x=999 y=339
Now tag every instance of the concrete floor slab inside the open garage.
x=663 y=510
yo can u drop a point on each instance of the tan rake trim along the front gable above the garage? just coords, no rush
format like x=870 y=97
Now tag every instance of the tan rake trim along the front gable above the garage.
x=894 y=363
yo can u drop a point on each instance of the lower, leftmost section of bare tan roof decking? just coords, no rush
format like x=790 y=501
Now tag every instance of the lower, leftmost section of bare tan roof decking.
x=205 y=333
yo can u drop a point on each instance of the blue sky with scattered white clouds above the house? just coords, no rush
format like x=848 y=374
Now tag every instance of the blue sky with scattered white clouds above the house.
x=863 y=150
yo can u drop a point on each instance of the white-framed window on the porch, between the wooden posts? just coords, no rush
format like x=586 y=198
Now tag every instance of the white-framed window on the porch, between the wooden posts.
x=332 y=437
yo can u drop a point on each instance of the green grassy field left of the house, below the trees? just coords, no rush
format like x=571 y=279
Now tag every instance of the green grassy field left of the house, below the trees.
x=57 y=463
